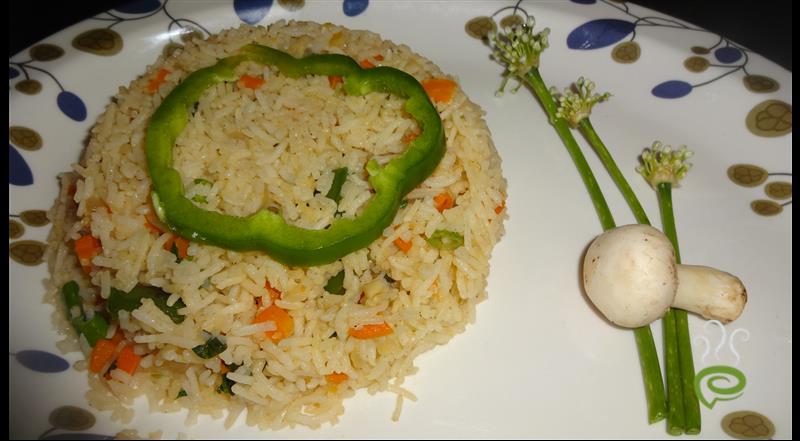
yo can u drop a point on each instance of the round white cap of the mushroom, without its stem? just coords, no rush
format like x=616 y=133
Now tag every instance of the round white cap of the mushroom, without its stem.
x=630 y=274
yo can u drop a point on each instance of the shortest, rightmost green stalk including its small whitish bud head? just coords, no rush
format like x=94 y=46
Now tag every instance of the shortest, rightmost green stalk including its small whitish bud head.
x=663 y=168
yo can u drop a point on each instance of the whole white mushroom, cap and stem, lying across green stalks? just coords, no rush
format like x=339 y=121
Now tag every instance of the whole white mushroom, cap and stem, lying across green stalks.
x=630 y=275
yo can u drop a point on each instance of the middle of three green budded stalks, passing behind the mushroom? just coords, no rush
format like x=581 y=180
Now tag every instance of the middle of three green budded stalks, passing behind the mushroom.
x=575 y=107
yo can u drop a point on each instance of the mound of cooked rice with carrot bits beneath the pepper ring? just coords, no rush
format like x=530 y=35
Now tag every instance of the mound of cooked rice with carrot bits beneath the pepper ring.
x=276 y=147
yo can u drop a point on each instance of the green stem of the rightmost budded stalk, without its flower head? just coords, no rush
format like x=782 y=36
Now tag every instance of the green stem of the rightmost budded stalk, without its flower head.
x=690 y=403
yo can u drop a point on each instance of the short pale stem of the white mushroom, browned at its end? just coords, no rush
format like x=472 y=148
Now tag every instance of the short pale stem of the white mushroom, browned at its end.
x=709 y=292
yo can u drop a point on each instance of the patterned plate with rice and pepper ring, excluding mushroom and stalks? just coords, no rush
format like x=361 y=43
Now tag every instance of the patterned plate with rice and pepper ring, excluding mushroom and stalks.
x=459 y=313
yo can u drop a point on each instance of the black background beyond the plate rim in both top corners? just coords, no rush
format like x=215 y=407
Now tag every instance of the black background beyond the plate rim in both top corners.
x=764 y=26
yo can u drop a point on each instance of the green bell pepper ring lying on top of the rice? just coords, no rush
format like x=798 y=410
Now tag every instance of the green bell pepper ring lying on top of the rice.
x=268 y=231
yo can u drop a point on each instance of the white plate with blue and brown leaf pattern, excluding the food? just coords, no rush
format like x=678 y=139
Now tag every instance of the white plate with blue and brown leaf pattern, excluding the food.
x=538 y=362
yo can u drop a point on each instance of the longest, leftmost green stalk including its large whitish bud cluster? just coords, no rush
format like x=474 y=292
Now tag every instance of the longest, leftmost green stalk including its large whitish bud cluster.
x=519 y=48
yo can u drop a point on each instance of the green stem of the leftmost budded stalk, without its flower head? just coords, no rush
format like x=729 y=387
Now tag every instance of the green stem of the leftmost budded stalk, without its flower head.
x=648 y=358
